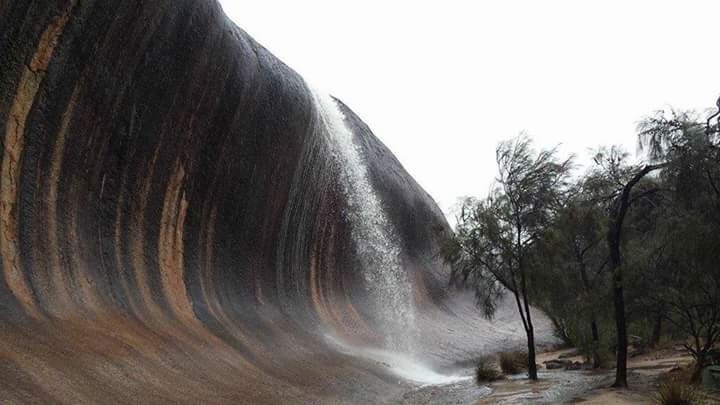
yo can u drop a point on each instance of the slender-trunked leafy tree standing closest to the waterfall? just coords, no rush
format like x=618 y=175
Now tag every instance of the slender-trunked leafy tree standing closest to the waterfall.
x=491 y=247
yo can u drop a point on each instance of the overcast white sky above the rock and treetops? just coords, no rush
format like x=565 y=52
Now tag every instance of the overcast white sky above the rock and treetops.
x=442 y=82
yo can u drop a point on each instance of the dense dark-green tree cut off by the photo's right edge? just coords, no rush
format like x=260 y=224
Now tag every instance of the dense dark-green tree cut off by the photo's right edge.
x=686 y=275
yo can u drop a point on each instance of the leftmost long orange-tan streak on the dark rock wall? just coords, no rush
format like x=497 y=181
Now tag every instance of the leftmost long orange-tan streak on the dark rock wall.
x=14 y=142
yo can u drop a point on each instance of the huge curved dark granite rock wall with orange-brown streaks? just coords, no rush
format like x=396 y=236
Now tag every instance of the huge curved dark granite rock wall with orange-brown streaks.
x=173 y=223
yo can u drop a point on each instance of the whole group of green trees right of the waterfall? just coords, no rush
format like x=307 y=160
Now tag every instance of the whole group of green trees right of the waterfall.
x=622 y=250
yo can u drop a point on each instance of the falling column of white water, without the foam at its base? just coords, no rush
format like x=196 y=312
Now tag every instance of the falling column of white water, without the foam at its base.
x=375 y=241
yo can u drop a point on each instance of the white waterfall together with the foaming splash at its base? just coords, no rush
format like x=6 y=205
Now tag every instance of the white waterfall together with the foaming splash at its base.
x=376 y=244
